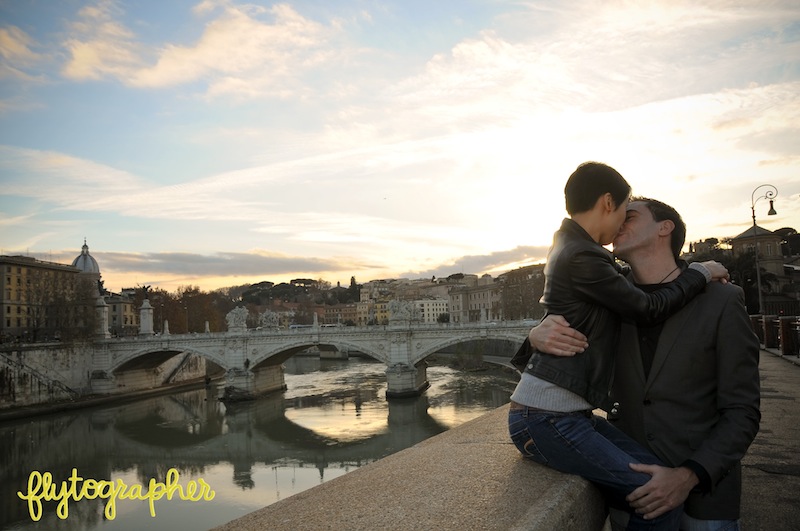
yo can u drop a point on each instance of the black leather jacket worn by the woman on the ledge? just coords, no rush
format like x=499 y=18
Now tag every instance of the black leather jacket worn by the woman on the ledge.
x=585 y=285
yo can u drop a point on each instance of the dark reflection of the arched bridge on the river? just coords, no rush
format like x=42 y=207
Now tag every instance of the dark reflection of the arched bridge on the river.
x=256 y=431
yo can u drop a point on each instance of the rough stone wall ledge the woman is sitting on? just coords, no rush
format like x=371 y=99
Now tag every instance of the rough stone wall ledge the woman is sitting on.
x=470 y=477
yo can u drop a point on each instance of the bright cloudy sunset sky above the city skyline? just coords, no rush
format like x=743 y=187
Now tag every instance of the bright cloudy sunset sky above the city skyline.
x=216 y=143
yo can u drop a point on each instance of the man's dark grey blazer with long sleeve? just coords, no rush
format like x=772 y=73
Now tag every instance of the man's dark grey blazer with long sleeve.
x=701 y=400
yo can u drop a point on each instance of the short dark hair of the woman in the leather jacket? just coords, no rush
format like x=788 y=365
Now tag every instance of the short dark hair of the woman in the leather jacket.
x=589 y=182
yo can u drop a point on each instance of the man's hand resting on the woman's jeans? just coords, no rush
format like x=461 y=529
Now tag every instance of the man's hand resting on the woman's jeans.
x=667 y=489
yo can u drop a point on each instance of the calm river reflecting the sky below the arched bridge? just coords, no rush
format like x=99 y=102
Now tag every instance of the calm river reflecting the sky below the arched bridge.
x=333 y=418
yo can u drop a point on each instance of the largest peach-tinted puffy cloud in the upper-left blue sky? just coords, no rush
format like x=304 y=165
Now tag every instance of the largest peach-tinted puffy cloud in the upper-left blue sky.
x=245 y=51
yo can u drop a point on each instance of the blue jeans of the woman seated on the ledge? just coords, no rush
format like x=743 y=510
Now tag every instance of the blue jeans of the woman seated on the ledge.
x=587 y=445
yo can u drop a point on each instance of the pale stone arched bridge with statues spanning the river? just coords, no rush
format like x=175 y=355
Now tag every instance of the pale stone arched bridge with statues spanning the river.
x=252 y=359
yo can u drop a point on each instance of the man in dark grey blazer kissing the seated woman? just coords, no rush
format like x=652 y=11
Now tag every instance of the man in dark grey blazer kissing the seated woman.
x=688 y=389
